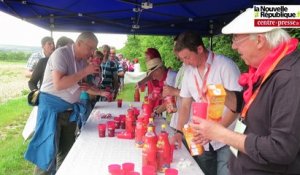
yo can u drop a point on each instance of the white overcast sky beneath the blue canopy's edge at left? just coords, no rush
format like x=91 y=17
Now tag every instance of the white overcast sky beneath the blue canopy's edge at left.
x=14 y=31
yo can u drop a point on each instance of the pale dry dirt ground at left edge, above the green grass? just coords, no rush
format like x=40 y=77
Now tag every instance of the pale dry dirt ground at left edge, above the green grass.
x=12 y=81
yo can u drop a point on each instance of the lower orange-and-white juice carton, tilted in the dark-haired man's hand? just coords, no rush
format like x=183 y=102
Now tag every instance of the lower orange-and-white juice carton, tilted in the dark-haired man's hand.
x=195 y=149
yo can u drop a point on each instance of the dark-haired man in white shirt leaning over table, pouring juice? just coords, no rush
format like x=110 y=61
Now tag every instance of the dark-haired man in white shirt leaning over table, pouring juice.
x=205 y=66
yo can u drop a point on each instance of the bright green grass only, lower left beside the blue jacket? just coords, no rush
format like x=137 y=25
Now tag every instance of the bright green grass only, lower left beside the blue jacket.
x=14 y=114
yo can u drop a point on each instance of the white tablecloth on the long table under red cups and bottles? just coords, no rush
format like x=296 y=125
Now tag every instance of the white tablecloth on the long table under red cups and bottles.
x=91 y=155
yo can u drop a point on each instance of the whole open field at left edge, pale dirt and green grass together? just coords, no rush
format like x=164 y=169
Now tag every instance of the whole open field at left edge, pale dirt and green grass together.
x=14 y=111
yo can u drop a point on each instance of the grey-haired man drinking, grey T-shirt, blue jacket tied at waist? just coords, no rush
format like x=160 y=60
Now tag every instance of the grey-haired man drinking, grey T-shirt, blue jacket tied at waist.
x=59 y=111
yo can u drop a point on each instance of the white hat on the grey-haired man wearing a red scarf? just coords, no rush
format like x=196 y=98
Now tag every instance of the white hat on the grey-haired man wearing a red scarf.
x=244 y=24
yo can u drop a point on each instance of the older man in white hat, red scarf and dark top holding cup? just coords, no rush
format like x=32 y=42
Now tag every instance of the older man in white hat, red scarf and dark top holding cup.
x=267 y=138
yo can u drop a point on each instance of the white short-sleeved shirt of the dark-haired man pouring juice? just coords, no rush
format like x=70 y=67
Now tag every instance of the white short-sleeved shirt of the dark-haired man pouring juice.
x=222 y=71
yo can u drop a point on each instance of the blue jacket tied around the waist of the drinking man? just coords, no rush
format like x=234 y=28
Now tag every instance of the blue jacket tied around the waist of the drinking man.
x=42 y=148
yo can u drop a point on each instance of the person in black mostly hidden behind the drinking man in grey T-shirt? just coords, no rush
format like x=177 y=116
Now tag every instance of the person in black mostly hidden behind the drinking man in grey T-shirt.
x=37 y=76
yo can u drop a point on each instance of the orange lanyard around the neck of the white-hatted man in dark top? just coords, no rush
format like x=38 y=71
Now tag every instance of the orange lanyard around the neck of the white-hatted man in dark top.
x=268 y=73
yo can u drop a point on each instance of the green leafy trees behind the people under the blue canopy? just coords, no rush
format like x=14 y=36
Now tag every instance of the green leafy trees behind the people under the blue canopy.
x=136 y=46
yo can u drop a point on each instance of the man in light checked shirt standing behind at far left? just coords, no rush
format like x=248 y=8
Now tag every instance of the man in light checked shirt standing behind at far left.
x=48 y=47
